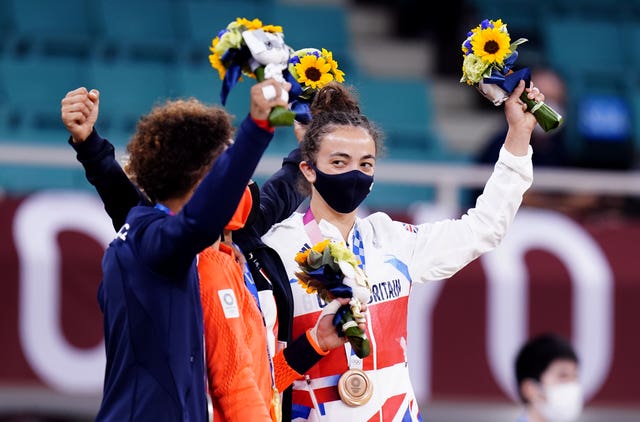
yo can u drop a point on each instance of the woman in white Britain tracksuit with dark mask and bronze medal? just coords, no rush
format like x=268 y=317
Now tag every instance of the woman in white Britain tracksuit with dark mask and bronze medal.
x=339 y=151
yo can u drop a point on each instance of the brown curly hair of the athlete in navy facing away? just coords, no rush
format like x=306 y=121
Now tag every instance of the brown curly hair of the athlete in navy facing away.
x=174 y=146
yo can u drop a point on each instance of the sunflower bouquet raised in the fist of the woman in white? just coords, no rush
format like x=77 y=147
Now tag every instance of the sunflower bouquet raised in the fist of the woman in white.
x=489 y=57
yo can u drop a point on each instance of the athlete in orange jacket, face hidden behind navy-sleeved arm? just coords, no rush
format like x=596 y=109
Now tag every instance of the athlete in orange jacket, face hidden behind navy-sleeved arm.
x=244 y=377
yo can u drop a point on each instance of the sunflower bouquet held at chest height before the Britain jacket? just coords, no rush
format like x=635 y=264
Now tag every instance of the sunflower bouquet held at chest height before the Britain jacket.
x=331 y=270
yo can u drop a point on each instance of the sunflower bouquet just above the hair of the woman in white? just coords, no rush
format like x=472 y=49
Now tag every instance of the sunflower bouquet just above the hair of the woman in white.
x=310 y=69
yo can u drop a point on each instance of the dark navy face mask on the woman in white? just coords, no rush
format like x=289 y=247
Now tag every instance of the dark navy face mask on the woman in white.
x=344 y=191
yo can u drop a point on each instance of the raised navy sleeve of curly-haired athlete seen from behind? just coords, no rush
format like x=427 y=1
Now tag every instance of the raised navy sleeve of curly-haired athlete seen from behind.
x=177 y=239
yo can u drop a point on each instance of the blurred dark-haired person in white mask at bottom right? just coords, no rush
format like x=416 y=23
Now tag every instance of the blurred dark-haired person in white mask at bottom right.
x=547 y=380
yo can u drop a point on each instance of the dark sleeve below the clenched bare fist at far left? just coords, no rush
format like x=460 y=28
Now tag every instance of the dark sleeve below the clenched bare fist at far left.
x=103 y=171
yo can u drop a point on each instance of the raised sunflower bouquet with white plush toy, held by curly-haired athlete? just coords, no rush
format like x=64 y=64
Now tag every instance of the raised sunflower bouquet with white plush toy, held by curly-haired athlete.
x=249 y=48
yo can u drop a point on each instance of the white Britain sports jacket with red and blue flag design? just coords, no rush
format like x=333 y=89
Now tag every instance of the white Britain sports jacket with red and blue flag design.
x=396 y=254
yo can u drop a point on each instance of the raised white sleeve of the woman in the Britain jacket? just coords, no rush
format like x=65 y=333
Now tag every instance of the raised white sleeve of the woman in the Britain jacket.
x=444 y=247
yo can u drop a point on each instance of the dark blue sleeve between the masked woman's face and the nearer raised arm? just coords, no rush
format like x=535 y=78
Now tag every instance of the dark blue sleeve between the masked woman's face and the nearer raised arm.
x=279 y=196
